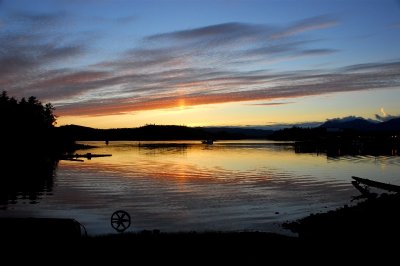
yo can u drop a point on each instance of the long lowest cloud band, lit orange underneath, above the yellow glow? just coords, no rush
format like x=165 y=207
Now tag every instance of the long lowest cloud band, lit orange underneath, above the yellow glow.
x=250 y=87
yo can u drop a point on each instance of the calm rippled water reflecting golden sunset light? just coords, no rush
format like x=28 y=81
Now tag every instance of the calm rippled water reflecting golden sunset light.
x=184 y=185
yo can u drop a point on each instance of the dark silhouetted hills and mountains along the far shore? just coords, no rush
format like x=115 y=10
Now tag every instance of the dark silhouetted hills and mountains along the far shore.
x=172 y=132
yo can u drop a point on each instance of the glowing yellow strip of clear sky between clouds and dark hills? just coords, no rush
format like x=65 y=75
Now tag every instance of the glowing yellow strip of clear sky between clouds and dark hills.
x=250 y=113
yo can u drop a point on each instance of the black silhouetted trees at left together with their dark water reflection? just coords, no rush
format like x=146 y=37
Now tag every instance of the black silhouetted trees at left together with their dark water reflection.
x=29 y=149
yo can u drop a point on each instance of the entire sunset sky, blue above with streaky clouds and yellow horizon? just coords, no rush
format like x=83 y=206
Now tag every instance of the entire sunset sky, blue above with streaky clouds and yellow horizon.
x=110 y=64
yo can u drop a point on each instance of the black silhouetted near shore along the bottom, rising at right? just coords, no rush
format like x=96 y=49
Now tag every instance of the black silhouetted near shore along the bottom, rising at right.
x=367 y=232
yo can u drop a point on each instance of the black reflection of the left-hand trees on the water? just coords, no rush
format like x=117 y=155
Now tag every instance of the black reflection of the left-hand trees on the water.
x=25 y=179
